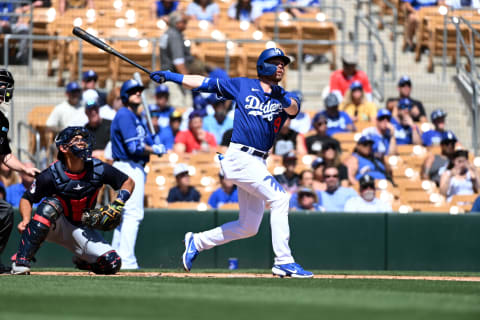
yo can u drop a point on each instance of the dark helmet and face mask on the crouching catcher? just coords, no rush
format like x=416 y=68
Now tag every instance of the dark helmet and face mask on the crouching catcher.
x=78 y=140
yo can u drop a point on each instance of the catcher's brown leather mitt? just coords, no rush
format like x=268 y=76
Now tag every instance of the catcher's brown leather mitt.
x=104 y=218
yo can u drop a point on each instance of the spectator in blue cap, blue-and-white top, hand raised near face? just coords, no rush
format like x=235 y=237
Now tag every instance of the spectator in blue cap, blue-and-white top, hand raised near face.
x=406 y=132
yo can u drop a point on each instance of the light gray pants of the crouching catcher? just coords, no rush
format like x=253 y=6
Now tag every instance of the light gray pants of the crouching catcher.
x=85 y=243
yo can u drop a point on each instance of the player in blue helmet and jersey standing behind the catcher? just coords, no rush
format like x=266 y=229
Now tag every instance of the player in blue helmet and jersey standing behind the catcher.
x=131 y=149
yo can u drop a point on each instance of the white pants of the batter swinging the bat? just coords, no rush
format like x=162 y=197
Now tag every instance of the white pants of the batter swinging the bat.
x=255 y=187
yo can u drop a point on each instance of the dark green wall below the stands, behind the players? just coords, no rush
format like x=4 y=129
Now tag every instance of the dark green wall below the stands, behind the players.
x=337 y=241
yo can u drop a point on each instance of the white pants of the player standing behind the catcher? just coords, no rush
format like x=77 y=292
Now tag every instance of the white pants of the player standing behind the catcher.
x=125 y=235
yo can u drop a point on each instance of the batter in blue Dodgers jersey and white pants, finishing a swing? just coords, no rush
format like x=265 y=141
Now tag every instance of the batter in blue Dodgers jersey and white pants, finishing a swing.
x=262 y=108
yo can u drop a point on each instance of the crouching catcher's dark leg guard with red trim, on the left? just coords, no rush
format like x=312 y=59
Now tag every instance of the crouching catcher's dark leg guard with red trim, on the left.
x=37 y=229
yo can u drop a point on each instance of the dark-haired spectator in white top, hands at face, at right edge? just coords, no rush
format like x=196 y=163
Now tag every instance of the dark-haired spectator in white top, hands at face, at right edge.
x=460 y=178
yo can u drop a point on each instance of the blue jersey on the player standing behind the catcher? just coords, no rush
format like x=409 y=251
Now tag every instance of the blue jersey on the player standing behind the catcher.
x=127 y=127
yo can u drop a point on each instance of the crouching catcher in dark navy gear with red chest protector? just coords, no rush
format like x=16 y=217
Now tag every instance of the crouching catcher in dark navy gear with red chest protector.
x=66 y=215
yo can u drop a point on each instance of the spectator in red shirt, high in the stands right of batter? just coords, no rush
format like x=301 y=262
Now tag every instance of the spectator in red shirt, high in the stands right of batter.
x=341 y=80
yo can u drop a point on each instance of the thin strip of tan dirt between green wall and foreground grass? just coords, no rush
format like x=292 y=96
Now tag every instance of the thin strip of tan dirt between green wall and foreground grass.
x=254 y=275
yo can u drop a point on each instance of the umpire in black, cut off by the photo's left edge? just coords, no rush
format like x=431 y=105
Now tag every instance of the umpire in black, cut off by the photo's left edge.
x=6 y=212
